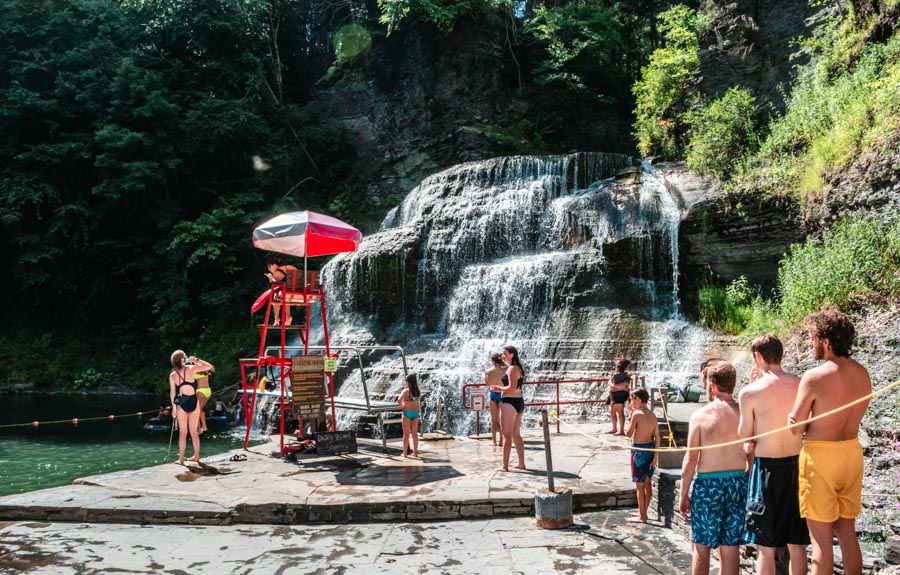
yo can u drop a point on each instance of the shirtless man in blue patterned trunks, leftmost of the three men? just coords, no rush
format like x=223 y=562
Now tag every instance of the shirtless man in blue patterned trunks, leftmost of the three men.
x=717 y=502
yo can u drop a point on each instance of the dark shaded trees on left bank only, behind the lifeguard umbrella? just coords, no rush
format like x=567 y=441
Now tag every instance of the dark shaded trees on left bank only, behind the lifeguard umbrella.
x=127 y=167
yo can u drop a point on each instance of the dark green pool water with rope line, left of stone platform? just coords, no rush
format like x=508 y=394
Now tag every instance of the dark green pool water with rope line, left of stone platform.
x=56 y=454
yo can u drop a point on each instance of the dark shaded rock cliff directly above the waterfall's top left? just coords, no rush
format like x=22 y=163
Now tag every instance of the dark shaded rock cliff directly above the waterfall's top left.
x=424 y=101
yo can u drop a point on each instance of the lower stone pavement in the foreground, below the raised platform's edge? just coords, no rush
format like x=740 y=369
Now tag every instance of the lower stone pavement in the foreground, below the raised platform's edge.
x=599 y=543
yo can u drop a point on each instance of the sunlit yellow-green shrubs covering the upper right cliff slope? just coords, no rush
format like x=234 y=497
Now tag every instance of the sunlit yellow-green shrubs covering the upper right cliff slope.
x=844 y=104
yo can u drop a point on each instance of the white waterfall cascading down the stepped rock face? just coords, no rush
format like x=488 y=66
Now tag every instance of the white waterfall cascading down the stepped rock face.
x=555 y=255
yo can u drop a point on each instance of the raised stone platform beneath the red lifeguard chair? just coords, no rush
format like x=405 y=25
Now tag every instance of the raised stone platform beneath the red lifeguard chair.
x=454 y=478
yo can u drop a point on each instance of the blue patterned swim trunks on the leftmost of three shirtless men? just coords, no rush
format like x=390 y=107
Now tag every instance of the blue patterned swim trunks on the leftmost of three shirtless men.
x=718 y=507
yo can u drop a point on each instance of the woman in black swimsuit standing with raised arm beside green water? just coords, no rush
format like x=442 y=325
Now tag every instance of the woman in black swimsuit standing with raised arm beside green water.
x=183 y=395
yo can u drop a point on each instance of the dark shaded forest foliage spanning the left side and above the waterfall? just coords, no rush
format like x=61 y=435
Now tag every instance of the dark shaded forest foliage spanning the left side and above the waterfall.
x=143 y=140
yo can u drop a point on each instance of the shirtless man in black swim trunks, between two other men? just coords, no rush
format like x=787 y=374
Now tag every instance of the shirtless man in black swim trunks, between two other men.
x=773 y=508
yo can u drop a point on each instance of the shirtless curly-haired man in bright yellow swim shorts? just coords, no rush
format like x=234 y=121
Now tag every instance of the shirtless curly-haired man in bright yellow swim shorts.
x=831 y=461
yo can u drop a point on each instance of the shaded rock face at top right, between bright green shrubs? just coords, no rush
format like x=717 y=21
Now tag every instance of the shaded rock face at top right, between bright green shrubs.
x=753 y=44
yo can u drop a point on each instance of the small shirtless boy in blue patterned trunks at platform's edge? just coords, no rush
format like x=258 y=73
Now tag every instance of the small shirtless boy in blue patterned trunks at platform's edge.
x=643 y=430
